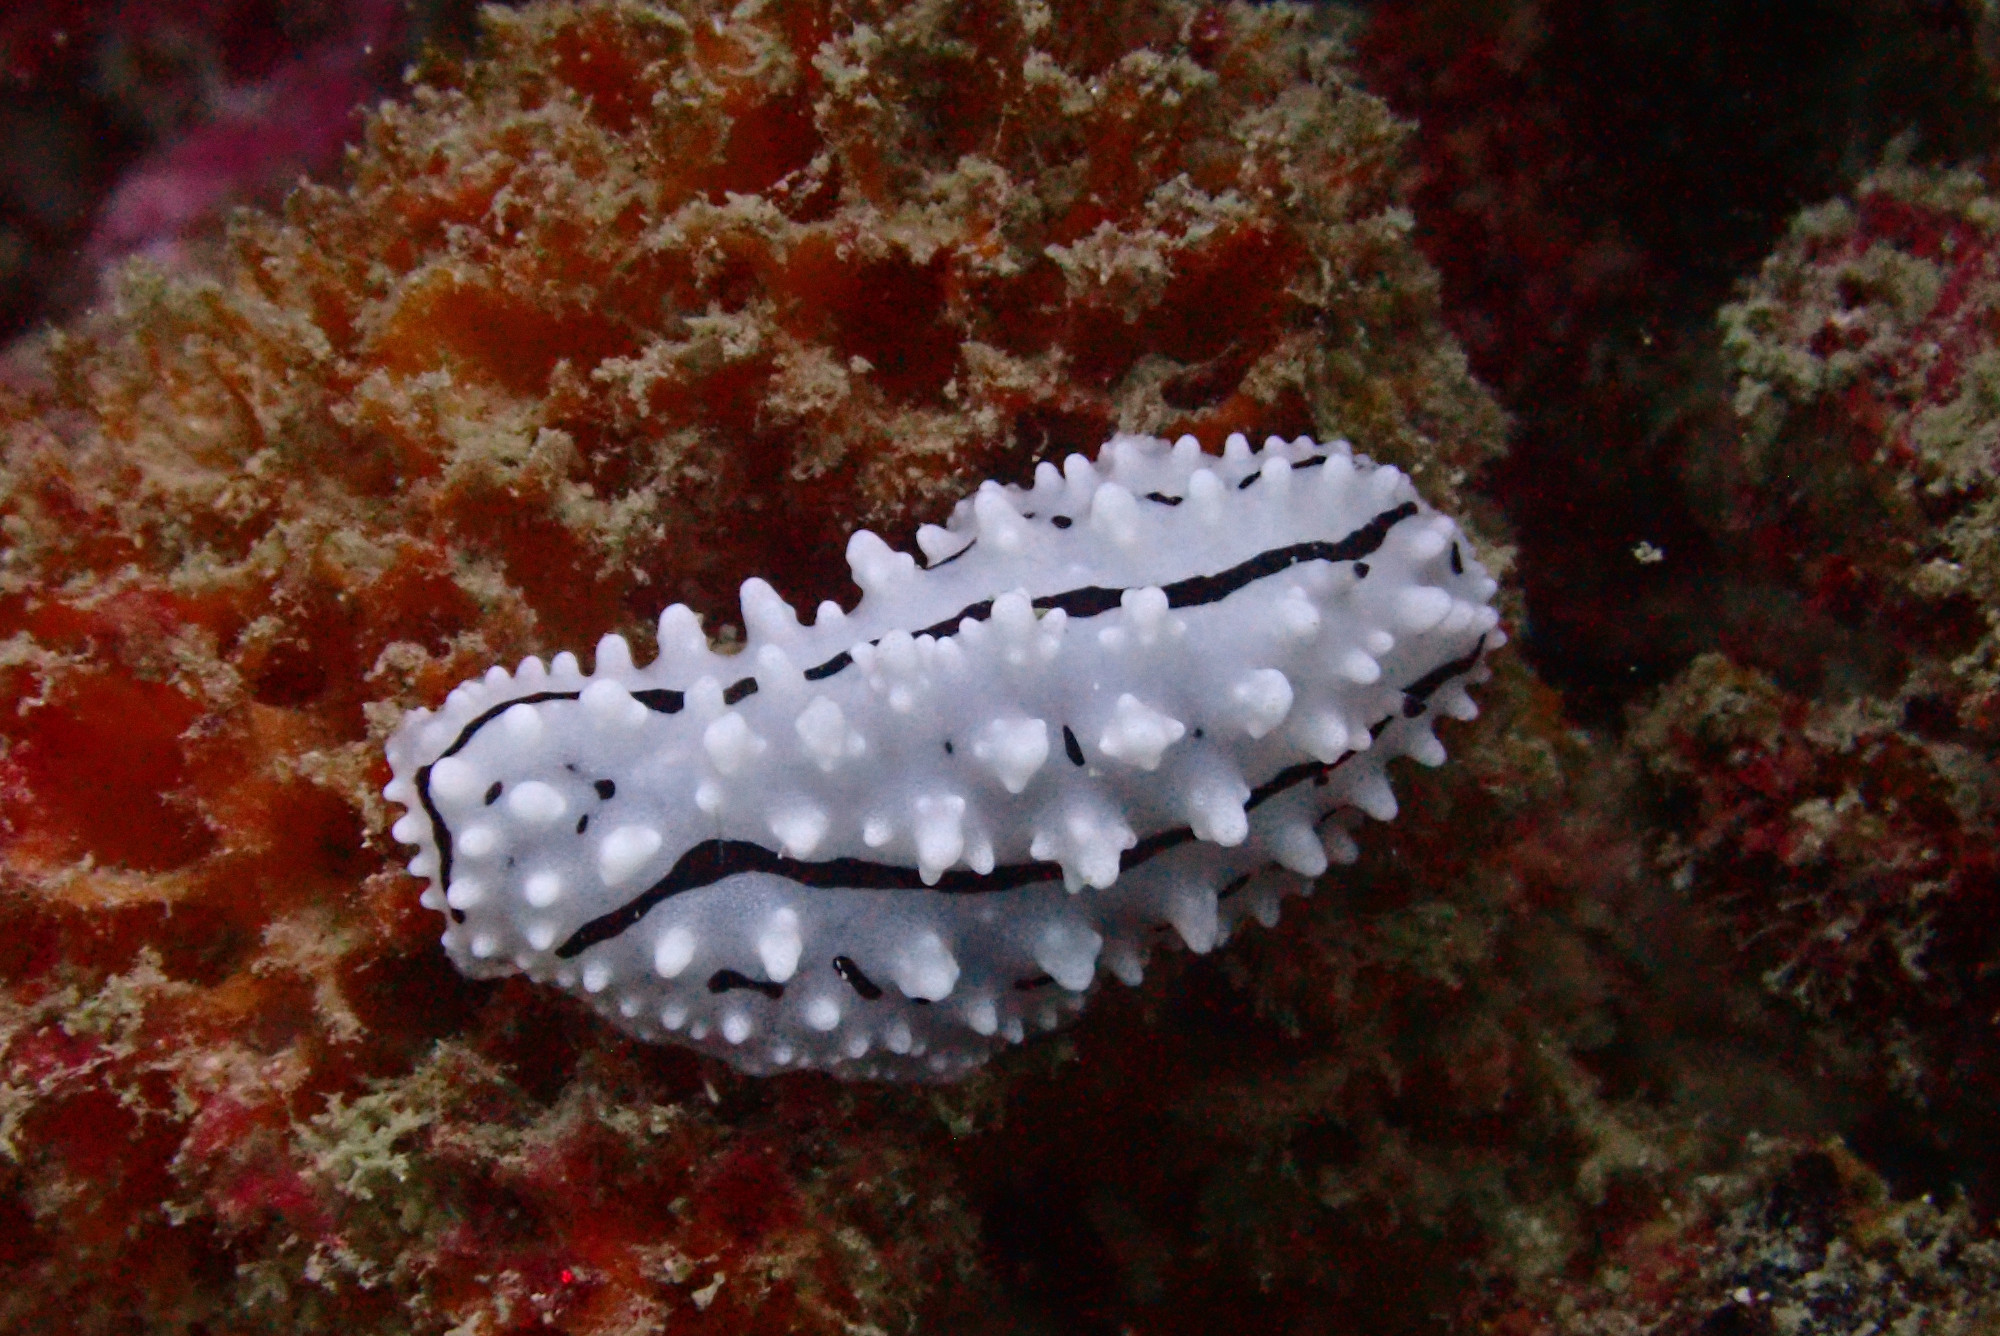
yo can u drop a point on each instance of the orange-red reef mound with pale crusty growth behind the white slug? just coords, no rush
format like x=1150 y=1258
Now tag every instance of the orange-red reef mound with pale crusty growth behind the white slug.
x=643 y=301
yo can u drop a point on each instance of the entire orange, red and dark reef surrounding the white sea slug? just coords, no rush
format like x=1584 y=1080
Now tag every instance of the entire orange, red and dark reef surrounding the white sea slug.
x=1665 y=1007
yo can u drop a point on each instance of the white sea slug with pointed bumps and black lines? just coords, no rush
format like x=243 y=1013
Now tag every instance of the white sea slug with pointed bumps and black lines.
x=1125 y=707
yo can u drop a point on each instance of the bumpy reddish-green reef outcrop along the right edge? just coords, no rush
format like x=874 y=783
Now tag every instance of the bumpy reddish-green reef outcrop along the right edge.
x=1845 y=823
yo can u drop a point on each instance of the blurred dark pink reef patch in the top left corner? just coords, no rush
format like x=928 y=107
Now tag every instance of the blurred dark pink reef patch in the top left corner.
x=139 y=127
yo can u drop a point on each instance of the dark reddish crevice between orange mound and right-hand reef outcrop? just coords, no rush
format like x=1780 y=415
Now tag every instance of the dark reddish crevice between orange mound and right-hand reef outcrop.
x=1595 y=181
